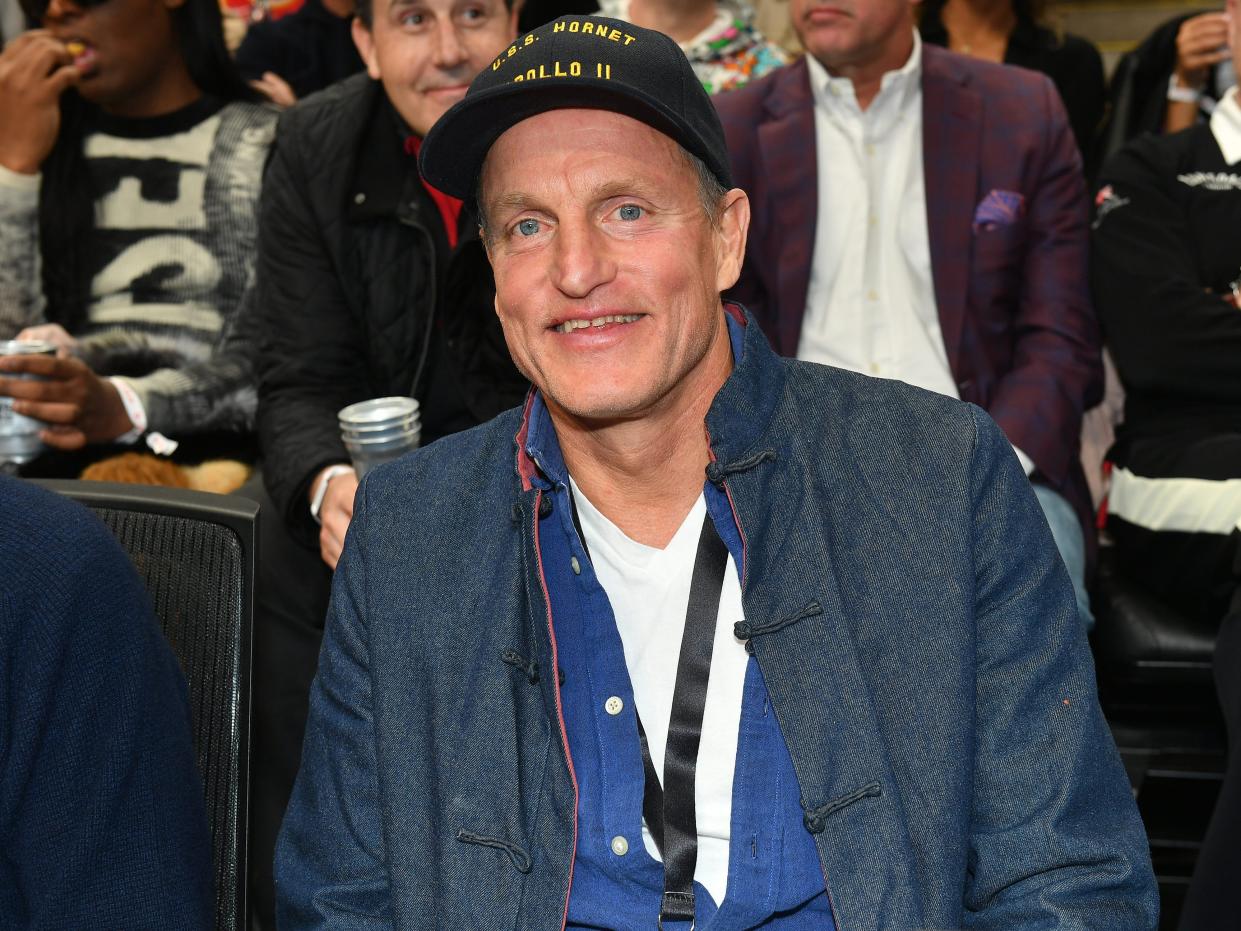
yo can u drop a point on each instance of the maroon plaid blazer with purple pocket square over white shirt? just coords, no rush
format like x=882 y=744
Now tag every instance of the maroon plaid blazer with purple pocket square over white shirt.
x=1007 y=210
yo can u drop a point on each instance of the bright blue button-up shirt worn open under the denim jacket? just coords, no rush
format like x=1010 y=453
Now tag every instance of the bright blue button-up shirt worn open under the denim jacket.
x=774 y=867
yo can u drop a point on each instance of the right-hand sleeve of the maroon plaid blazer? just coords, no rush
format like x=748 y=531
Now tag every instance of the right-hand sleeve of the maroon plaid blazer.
x=1057 y=371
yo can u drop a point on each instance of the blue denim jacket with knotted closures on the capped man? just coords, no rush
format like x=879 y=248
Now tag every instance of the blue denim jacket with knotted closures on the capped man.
x=913 y=623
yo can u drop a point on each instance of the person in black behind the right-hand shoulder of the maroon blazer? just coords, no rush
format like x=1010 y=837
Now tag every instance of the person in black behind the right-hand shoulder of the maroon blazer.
x=1016 y=33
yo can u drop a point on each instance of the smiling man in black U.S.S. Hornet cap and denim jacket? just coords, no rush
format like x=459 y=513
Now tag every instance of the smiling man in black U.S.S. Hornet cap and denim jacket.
x=699 y=636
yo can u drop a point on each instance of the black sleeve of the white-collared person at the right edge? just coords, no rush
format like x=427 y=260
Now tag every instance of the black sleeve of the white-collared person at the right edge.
x=1168 y=335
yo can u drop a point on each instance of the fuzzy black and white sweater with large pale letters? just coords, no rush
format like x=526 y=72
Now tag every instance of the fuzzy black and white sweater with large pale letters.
x=172 y=261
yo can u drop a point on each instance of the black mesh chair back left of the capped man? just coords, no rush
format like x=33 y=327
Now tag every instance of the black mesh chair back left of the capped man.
x=197 y=553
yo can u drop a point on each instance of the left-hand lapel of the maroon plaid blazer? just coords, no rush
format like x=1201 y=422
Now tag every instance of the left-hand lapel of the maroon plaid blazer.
x=787 y=150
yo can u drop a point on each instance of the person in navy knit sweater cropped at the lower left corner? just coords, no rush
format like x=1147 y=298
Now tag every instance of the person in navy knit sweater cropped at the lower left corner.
x=102 y=821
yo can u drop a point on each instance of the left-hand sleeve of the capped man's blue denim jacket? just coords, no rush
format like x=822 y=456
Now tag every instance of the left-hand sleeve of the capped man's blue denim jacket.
x=331 y=862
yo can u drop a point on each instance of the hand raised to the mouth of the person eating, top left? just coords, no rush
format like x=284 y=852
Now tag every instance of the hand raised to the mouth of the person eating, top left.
x=35 y=70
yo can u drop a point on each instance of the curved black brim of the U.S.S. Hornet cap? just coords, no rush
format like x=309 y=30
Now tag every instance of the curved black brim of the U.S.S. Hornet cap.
x=457 y=145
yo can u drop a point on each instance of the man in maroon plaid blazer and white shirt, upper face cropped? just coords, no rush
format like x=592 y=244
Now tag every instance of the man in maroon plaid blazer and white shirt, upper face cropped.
x=921 y=215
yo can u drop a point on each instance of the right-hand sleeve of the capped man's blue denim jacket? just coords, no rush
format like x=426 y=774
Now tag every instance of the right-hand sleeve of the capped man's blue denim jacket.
x=1055 y=840
